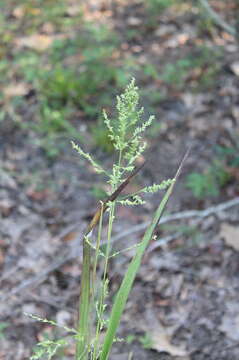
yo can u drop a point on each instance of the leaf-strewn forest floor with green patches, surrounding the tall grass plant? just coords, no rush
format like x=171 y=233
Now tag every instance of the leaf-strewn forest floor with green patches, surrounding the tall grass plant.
x=184 y=304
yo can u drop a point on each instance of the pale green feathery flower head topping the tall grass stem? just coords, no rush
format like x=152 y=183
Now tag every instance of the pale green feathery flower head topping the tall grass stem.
x=126 y=134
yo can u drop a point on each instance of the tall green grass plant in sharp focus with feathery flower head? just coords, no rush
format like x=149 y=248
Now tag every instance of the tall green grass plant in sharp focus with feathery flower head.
x=126 y=135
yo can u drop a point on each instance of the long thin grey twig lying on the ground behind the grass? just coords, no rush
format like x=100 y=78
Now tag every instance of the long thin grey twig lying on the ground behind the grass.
x=72 y=254
